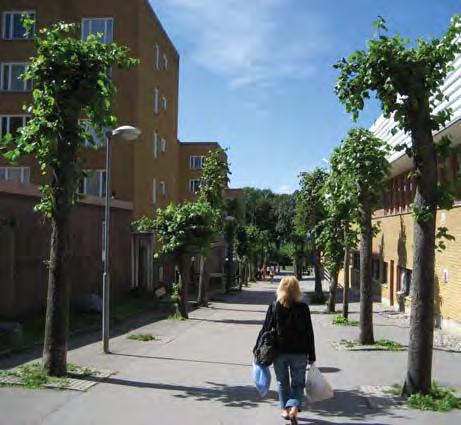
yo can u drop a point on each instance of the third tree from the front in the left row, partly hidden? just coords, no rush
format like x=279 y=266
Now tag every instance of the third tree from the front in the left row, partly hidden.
x=214 y=181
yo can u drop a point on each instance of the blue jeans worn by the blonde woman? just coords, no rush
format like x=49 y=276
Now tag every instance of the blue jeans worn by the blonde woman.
x=291 y=394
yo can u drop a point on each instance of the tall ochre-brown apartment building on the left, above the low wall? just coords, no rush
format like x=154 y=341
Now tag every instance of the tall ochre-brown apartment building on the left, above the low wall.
x=149 y=172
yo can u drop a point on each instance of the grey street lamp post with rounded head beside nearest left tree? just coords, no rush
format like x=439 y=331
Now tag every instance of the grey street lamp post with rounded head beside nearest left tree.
x=127 y=133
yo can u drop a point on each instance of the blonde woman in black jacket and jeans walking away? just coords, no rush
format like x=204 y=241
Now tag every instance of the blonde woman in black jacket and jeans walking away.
x=293 y=343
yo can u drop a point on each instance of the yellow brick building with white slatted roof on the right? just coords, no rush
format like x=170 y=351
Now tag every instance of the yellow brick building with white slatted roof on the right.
x=393 y=246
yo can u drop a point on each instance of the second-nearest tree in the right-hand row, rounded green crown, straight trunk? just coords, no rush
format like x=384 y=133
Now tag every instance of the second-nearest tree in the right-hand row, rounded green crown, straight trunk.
x=364 y=162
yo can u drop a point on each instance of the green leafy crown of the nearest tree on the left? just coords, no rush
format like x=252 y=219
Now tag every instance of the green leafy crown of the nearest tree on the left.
x=70 y=82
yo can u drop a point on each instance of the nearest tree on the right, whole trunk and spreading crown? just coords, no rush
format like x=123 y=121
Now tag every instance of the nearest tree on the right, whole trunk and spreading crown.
x=407 y=81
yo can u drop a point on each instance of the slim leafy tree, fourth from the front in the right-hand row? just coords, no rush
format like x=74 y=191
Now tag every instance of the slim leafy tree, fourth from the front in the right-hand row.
x=310 y=211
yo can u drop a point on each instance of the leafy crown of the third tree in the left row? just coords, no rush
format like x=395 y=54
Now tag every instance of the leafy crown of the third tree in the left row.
x=214 y=179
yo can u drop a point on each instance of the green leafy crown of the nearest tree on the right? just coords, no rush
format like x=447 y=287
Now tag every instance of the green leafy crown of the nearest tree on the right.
x=407 y=79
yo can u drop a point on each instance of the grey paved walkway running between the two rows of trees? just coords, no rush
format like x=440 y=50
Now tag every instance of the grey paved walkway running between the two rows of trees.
x=199 y=372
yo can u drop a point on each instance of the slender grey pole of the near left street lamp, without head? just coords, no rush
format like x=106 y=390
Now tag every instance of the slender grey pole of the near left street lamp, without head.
x=106 y=275
